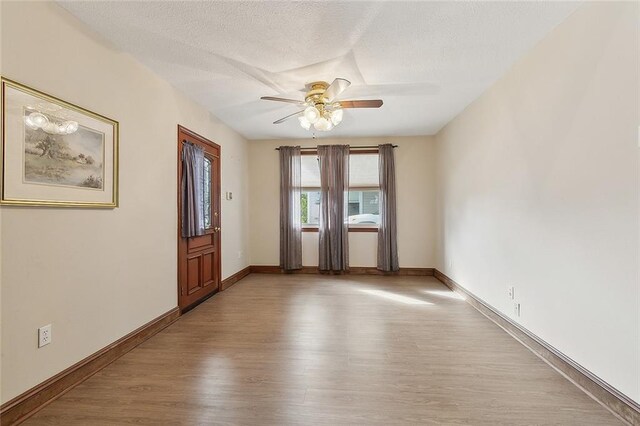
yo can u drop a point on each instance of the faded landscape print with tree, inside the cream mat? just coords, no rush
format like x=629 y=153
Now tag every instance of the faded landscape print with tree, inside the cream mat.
x=75 y=159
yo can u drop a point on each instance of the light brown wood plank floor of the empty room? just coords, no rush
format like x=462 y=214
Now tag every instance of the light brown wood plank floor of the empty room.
x=305 y=349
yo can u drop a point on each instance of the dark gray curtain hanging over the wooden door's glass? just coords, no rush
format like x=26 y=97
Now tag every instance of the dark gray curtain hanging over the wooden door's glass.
x=192 y=190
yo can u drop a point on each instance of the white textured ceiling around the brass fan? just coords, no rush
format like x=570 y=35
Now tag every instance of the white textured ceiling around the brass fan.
x=426 y=60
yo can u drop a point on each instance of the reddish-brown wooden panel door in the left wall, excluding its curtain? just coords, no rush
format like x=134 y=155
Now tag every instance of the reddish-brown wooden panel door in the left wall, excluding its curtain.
x=199 y=257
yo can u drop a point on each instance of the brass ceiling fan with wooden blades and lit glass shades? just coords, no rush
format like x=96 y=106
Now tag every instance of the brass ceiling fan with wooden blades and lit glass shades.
x=321 y=109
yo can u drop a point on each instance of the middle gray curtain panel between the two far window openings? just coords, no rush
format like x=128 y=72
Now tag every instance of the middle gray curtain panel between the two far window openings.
x=334 y=188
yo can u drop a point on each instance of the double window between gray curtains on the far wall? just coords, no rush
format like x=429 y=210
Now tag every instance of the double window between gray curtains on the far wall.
x=364 y=191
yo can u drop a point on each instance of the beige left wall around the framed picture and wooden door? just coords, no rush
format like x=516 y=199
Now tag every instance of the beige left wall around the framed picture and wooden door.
x=96 y=275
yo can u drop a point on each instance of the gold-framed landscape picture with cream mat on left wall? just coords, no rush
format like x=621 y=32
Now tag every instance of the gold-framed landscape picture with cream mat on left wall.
x=55 y=153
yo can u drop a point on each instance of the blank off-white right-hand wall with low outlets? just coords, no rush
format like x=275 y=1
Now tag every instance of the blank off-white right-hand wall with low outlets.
x=538 y=188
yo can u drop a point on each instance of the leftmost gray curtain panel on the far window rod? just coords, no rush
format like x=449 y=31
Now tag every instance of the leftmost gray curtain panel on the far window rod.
x=290 y=217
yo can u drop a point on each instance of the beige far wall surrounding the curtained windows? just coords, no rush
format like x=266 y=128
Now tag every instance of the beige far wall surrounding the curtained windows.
x=415 y=173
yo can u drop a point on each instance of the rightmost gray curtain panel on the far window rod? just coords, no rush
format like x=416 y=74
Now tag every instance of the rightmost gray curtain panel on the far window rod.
x=387 y=232
